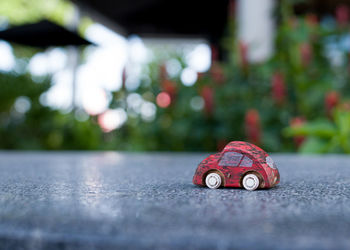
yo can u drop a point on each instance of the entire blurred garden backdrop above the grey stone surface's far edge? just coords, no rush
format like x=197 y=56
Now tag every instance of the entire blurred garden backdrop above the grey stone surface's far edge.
x=153 y=75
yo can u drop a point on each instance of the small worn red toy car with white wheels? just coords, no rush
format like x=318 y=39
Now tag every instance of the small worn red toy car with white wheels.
x=239 y=164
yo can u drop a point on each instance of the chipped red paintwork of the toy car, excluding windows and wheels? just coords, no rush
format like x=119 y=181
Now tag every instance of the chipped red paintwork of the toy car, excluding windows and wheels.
x=233 y=175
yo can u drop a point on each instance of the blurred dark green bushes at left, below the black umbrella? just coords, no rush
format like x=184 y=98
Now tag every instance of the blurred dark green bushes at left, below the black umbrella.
x=26 y=124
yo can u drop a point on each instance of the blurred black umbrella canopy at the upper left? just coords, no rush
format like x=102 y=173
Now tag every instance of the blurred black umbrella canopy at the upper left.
x=42 y=34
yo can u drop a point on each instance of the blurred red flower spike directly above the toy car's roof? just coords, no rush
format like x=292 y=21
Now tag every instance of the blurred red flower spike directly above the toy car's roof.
x=252 y=126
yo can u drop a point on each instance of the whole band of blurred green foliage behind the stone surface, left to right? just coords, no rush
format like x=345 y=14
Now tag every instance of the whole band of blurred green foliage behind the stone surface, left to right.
x=296 y=100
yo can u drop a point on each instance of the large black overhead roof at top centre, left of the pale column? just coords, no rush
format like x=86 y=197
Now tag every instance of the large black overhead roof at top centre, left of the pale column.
x=159 y=18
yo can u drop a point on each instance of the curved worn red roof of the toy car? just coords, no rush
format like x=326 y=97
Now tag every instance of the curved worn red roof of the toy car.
x=247 y=148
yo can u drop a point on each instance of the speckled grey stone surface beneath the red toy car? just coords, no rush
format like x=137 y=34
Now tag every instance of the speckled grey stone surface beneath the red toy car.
x=147 y=201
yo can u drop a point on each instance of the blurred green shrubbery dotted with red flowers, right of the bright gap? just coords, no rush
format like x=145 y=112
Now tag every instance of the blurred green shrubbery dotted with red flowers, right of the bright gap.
x=255 y=102
